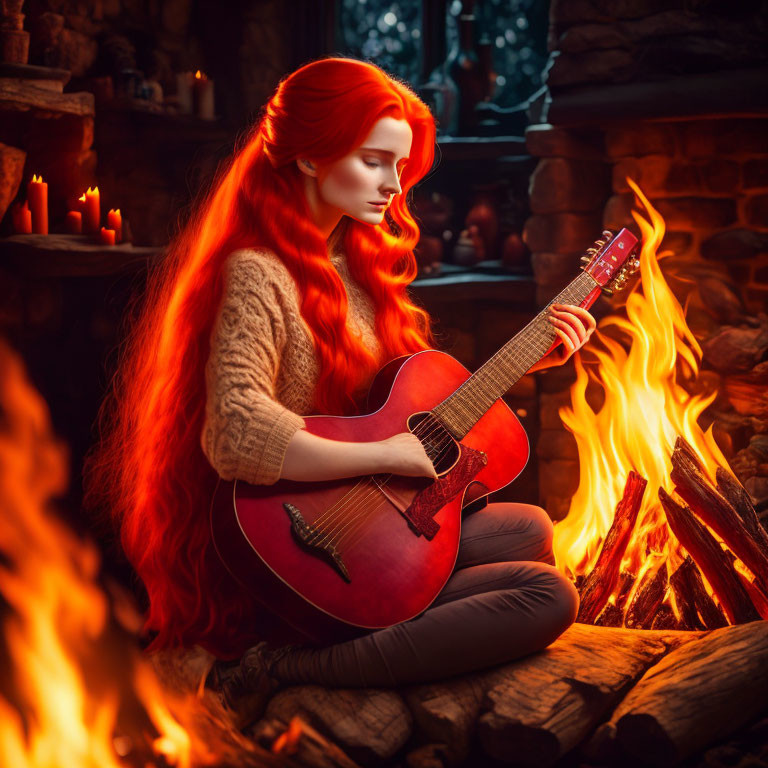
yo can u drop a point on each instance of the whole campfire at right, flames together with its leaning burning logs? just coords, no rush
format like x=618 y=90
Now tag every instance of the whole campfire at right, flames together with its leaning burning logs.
x=615 y=541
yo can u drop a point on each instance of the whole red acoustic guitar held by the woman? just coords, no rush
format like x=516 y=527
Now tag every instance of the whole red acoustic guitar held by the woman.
x=336 y=559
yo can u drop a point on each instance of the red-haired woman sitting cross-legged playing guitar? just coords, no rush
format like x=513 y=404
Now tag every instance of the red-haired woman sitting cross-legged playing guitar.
x=283 y=296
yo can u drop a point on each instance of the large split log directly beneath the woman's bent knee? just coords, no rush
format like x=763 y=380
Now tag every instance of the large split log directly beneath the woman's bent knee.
x=542 y=706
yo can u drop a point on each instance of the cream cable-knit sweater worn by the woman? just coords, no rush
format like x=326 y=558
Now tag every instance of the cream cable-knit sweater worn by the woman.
x=262 y=371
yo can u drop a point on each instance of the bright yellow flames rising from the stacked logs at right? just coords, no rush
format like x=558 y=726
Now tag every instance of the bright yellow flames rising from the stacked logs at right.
x=640 y=361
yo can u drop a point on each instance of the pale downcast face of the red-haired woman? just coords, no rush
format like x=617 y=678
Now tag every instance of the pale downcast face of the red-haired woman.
x=362 y=184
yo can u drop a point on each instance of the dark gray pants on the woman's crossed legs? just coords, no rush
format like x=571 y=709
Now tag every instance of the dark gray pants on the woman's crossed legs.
x=505 y=599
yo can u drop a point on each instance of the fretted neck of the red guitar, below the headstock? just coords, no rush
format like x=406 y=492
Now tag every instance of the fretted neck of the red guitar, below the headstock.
x=460 y=411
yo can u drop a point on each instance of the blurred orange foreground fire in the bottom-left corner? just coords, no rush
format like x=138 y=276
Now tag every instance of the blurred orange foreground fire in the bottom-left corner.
x=75 y=691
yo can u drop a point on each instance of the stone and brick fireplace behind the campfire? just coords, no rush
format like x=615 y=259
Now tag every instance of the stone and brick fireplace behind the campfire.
x=618 y=105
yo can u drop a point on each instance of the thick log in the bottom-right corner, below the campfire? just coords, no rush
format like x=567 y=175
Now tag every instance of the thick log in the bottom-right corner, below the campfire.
x=686 y=701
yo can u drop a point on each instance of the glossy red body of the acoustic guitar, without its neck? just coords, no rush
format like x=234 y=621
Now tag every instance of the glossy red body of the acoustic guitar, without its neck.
x=386 y=570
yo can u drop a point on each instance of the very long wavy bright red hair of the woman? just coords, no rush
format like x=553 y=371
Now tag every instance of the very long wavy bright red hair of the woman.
x=148 y=470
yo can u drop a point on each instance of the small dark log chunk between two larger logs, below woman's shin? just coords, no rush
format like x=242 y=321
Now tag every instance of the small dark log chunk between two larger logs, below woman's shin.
x=445 y=713
